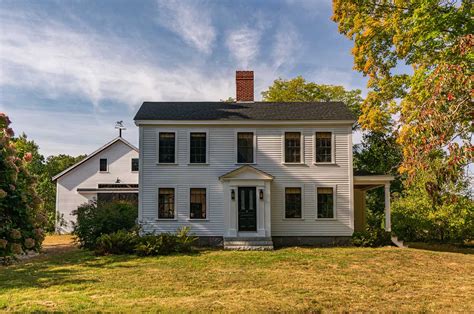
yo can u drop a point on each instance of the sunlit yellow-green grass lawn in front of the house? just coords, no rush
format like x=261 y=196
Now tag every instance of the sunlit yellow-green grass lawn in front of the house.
x=291 y=279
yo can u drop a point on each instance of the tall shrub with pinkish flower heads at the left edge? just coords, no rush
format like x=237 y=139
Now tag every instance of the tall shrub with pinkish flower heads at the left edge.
x=21 y=219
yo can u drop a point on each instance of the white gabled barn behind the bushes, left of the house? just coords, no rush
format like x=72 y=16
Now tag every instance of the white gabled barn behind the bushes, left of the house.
x=109 y=173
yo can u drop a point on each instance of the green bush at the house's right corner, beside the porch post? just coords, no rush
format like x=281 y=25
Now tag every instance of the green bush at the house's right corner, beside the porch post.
x=374 y=234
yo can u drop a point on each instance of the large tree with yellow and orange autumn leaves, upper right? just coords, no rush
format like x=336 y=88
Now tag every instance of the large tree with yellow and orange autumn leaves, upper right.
x=434 y=103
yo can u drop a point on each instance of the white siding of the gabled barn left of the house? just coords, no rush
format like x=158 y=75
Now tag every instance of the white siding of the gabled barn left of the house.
x=86 y=175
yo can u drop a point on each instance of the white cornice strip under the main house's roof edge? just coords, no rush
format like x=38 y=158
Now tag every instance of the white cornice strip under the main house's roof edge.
x=244 y=122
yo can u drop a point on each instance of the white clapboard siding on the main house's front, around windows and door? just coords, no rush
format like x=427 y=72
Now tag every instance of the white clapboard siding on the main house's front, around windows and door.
x=221 y=159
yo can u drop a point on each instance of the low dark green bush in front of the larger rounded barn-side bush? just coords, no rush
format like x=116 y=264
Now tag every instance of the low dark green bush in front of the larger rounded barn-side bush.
x=120 y=242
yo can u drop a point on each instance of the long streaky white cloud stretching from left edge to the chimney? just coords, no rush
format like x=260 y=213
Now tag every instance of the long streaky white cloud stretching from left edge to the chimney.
x=58 y=60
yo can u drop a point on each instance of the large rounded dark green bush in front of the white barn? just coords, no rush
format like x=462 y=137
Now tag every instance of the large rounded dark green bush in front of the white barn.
x=95 y=220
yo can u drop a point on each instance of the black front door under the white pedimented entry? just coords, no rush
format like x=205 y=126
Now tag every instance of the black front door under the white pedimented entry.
x=247 y=209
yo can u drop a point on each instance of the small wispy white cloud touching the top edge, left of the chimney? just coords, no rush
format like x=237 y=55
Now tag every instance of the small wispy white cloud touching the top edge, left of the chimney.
x=190 y=21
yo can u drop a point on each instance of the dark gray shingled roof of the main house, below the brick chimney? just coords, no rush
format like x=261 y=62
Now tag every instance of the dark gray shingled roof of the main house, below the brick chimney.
x=244 y=111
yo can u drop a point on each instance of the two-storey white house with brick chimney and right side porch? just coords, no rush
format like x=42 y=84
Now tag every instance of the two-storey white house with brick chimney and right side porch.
x=251 y=174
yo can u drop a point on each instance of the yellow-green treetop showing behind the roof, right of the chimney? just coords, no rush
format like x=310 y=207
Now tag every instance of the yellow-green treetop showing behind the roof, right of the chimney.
x=298 y=89
